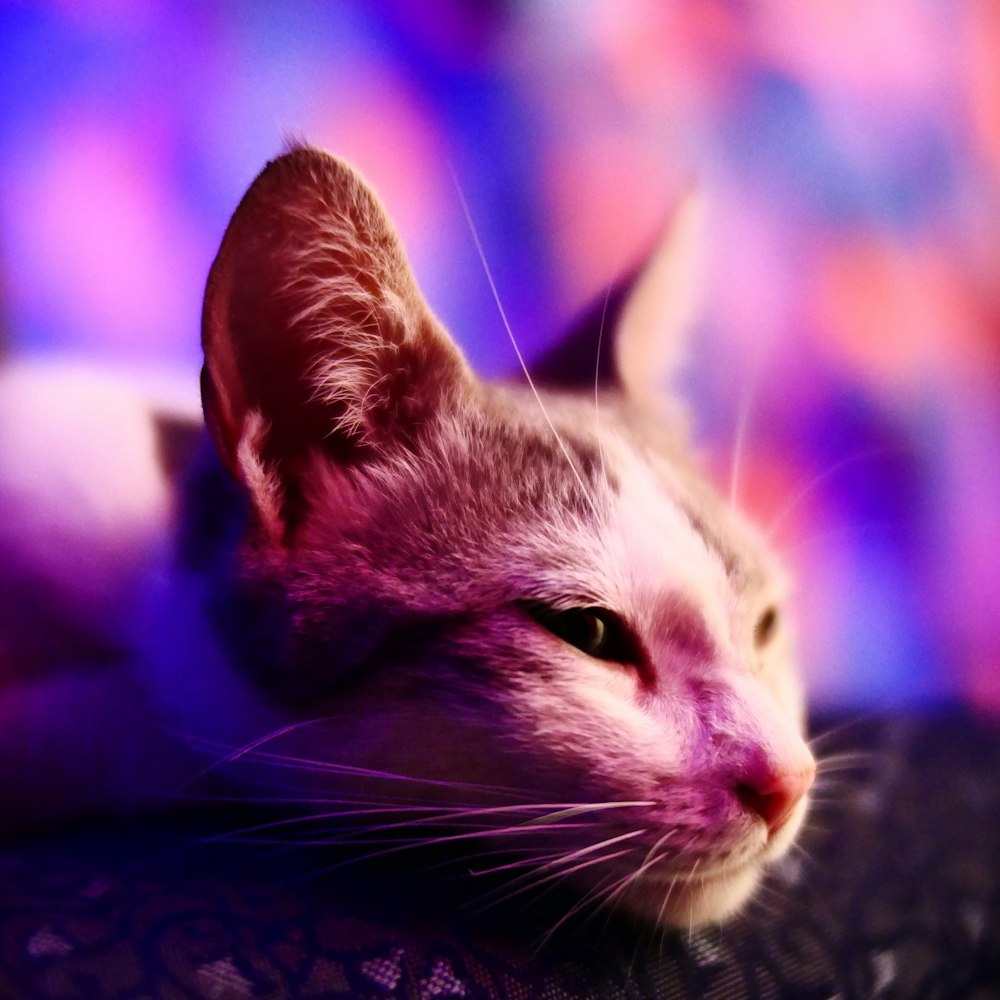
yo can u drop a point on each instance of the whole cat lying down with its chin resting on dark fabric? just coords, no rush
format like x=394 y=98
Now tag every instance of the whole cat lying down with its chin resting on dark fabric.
x=420 y=596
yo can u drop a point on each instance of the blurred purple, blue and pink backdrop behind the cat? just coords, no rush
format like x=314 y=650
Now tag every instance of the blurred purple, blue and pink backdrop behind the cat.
x=851 y=157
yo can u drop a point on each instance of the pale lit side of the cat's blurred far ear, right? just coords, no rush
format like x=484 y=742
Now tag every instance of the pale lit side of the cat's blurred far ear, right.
x=662 y=304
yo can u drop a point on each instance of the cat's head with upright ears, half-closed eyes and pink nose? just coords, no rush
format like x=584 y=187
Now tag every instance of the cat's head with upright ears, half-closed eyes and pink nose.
x=507 y=602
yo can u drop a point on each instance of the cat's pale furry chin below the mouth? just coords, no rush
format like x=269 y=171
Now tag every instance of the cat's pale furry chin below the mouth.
x=691 y=902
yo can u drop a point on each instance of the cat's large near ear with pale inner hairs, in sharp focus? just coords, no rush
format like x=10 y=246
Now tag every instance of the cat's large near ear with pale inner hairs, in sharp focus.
x=315 y=334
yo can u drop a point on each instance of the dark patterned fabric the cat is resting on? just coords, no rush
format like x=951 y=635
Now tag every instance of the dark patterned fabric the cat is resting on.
x=896 y=894
